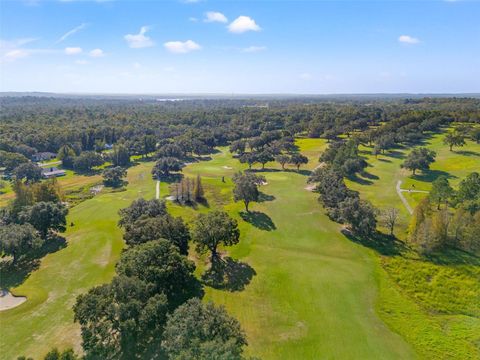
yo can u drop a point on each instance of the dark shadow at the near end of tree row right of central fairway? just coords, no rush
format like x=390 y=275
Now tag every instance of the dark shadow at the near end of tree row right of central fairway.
x=384 y=244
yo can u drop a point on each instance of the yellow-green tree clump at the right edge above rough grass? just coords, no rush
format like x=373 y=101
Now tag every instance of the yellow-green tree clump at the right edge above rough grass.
x=448 y=218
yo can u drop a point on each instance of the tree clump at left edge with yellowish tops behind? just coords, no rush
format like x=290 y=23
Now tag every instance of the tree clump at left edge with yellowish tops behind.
x=27 y=223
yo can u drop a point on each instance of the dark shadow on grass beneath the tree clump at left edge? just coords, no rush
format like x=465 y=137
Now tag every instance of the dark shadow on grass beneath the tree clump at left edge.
x=14 y=274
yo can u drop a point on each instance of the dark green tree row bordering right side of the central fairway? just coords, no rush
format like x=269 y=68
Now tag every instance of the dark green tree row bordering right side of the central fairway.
x=344 y=205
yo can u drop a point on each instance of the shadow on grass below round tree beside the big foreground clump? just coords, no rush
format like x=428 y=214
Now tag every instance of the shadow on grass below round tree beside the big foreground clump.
x=228 y=274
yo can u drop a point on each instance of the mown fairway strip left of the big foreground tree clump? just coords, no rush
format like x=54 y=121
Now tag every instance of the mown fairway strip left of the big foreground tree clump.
x=94 y=244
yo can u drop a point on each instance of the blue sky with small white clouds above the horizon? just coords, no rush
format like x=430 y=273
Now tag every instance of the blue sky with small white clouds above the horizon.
x=267 y=46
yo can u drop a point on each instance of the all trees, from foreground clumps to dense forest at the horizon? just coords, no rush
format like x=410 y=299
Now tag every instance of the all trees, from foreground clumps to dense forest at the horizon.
x=156 y=311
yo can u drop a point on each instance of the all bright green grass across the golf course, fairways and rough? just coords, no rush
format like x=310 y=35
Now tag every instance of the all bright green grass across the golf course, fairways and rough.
x=301 y=289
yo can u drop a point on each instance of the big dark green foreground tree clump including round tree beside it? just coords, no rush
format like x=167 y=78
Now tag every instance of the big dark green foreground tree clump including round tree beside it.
x=152 y=309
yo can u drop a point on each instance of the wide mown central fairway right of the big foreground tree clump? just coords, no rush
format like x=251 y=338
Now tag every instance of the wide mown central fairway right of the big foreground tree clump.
x=314 y=292
